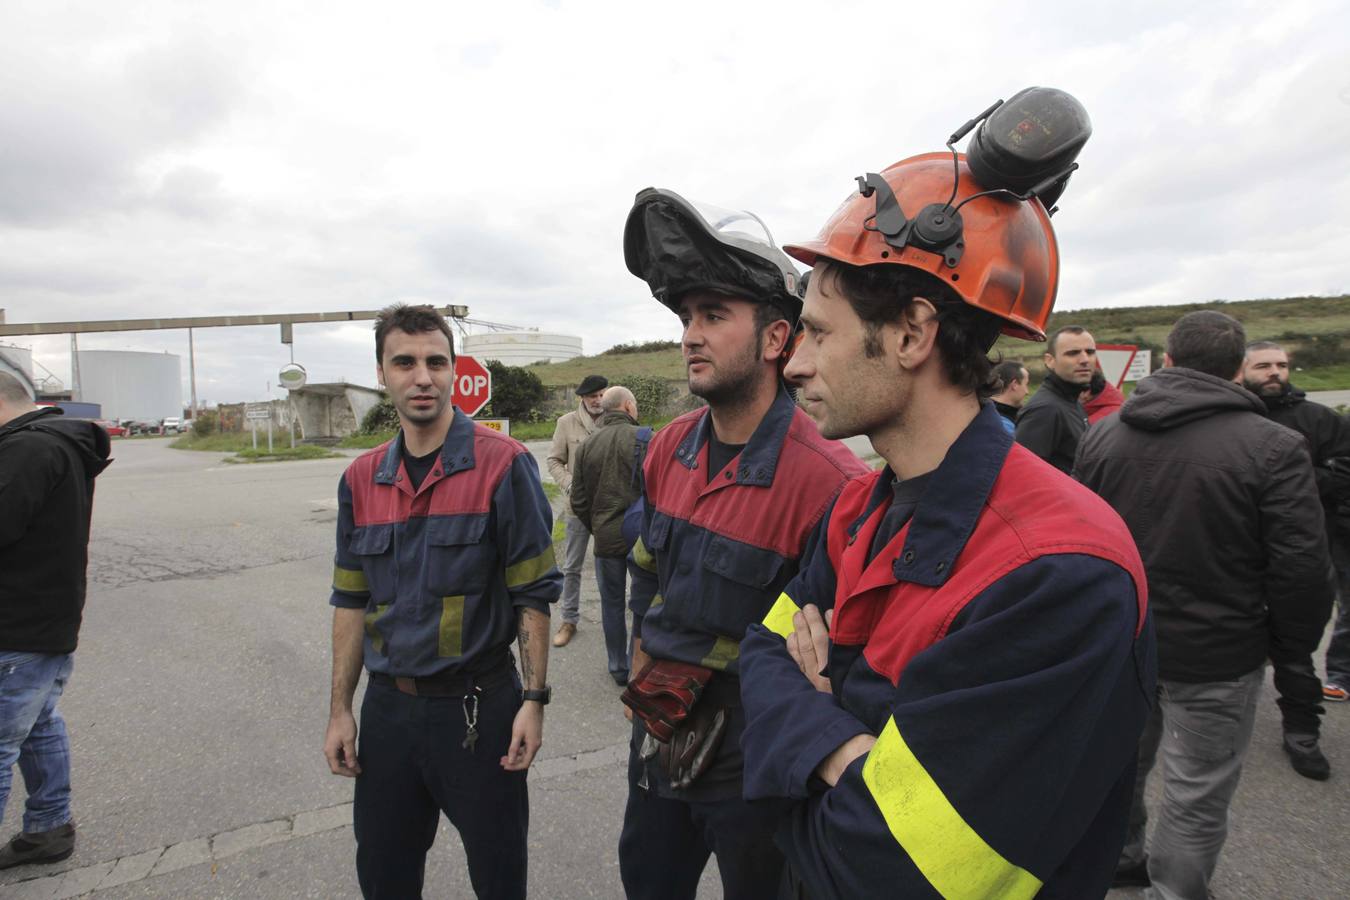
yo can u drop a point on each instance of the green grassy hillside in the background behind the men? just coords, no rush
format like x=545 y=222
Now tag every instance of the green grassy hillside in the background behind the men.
x=1294 y=322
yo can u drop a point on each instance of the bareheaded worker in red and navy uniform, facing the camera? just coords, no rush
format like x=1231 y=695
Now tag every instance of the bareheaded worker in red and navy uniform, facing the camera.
x=445 y=558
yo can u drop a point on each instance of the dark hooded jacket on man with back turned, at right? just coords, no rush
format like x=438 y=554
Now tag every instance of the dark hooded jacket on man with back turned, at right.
x=1224 y=508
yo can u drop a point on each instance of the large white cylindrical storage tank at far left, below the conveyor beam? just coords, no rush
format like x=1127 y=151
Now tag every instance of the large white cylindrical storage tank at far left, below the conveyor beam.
x=133 y=385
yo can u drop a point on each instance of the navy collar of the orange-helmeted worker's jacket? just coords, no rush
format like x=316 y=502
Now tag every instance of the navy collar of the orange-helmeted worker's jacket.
x=952 y=501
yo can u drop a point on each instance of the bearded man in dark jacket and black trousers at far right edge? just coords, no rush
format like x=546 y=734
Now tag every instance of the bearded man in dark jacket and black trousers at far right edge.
x=1267 y=374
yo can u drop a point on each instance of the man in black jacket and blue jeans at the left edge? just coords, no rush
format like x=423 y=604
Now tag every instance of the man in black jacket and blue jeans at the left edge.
x=47 y=496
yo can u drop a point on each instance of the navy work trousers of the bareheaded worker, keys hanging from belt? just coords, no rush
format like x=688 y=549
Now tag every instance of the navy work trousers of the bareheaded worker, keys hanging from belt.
x=414 y=768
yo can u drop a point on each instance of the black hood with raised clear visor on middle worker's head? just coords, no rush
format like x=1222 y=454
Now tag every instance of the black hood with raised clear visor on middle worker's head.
x=677 y=246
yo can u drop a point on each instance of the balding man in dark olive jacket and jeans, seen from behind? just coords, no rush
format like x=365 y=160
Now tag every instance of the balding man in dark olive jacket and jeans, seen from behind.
x=604 y=486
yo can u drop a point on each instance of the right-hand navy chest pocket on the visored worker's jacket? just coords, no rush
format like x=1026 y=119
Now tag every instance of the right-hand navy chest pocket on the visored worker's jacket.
x=740 y=584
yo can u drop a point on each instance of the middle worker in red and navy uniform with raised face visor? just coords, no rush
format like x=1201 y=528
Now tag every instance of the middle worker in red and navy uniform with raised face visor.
x=732 y=495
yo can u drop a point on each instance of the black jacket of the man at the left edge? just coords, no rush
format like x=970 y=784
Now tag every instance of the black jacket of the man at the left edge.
x=48 y=466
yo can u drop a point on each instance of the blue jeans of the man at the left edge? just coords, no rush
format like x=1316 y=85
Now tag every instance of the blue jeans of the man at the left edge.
x=33 y=732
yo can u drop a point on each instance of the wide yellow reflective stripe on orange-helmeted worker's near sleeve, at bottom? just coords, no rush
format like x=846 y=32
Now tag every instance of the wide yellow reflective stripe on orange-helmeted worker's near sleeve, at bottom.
x=950 y=853
